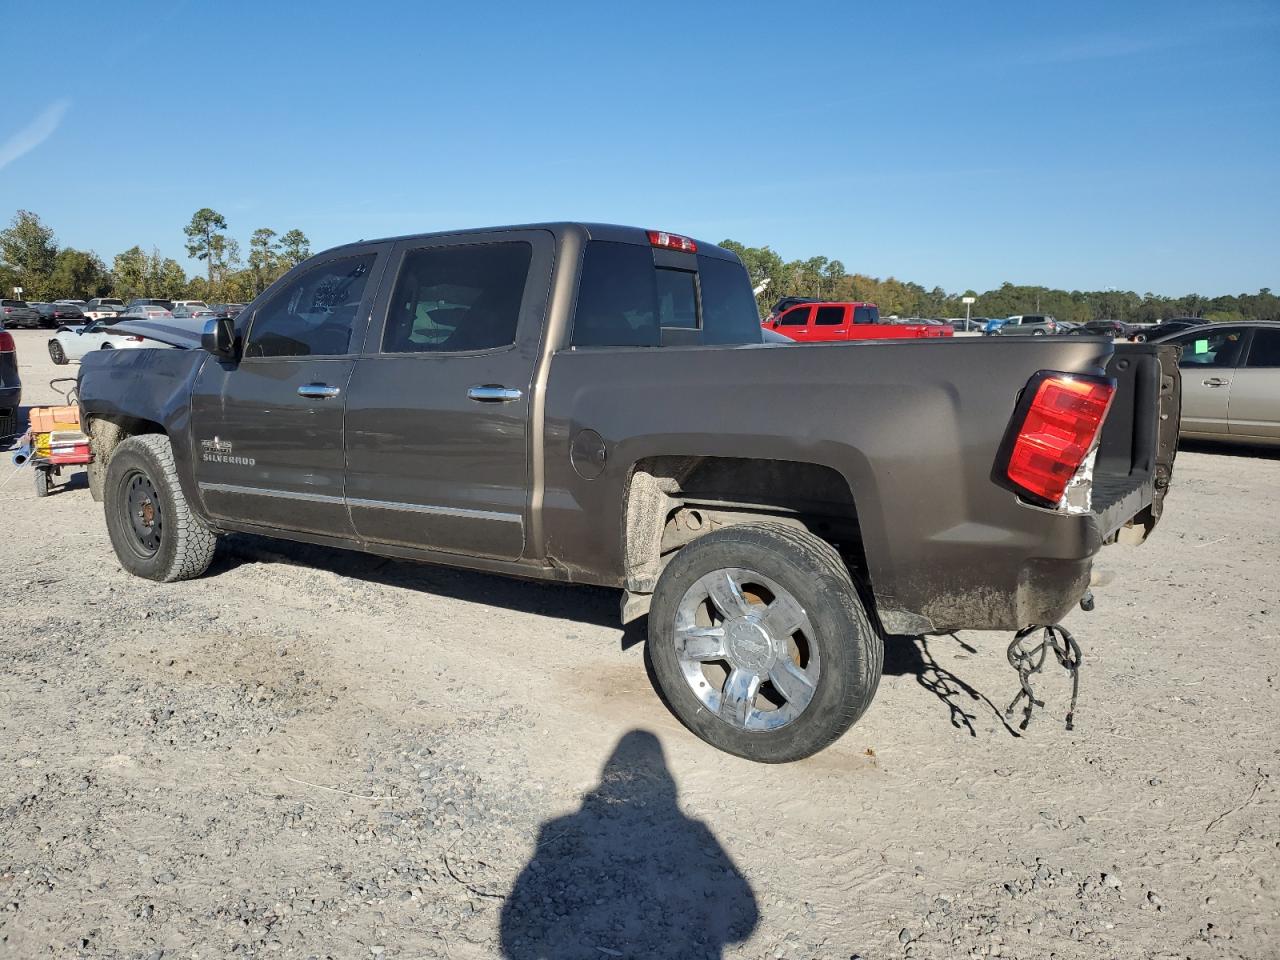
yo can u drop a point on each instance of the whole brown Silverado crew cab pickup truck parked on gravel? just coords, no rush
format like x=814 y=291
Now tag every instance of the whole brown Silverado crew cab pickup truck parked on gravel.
x=595 y=405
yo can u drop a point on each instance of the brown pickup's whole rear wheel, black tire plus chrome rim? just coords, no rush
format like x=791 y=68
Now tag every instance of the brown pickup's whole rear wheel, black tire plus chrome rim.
x=761 y=644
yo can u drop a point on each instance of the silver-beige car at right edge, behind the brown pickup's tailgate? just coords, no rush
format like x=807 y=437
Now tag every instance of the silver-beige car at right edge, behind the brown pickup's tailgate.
x=1231 y=382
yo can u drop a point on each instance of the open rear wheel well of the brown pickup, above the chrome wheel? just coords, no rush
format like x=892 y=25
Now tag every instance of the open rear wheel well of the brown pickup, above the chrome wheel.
x=673 y=501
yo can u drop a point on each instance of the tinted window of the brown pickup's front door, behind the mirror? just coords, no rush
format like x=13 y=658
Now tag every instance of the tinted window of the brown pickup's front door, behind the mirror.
x=314 y=316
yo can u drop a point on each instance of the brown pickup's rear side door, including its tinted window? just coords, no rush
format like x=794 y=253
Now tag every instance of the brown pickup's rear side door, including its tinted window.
x=438 y=409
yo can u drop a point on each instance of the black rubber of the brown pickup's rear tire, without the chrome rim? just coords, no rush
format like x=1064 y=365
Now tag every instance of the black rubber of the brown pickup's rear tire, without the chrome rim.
x=810 y=569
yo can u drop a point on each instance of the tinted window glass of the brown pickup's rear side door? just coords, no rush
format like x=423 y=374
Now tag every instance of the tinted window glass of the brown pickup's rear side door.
x=458 y=299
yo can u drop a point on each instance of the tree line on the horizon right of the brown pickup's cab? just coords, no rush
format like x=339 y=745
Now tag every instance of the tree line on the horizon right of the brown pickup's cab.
x=829 y=280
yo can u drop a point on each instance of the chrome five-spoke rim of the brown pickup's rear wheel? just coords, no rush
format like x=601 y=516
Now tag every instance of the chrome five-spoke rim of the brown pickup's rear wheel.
x=747 y=650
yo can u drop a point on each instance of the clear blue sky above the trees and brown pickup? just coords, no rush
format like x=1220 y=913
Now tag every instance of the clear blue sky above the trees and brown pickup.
x=1077 y=145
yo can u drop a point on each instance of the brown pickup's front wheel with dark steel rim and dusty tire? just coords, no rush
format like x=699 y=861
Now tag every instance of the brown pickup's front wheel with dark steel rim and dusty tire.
x=153 y=528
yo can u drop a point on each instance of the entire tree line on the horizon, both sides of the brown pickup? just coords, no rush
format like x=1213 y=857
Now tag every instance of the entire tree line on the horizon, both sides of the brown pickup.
x=33 y=259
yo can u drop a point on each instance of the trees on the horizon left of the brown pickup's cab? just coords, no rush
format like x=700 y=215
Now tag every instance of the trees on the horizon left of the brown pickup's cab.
x=33 y=259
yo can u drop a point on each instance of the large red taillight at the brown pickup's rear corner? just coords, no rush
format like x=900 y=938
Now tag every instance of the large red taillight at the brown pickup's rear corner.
x=1058 y=433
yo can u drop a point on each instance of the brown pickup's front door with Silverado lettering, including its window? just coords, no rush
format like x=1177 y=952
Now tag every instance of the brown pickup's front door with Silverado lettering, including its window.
x=268 y=431
